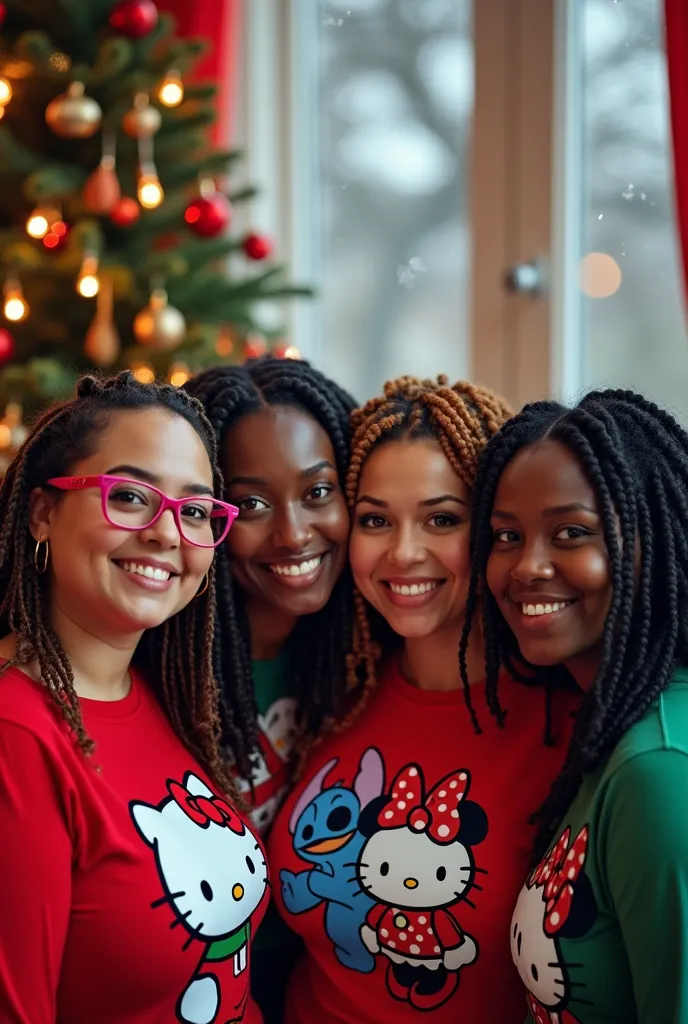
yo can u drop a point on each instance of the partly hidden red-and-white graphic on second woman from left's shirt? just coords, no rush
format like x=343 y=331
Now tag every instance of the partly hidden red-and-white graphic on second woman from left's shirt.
x=277 y=732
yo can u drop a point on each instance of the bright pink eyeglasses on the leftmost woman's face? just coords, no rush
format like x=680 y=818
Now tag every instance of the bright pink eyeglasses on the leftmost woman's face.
x=202 y=521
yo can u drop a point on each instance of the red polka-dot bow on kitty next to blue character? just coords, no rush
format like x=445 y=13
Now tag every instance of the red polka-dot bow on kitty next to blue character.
x=437 y=815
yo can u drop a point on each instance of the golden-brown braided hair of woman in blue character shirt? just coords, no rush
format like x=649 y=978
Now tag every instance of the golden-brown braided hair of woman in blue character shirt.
x=461 y=418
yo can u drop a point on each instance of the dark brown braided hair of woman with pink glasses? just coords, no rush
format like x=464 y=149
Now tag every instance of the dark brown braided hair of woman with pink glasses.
x=176 y=656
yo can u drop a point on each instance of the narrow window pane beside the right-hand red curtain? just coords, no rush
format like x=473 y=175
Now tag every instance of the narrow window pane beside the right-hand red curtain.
x=631 y=287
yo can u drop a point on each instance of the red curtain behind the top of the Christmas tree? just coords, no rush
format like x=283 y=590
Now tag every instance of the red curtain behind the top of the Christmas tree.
x=219 y=21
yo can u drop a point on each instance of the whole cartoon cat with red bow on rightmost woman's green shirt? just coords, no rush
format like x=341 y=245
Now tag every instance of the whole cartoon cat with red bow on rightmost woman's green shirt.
x=556 y=903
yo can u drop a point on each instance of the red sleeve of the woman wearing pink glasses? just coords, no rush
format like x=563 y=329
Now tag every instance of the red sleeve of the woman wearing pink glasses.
x=35 y=879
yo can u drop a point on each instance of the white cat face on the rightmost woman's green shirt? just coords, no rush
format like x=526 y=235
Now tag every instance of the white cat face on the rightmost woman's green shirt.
x=535 y=953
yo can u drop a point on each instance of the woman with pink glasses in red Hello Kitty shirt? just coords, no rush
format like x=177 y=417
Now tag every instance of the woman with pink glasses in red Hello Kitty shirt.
x=131 y=885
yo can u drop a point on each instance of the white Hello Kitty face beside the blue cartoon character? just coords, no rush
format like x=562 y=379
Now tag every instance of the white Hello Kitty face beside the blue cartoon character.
x=409 y=870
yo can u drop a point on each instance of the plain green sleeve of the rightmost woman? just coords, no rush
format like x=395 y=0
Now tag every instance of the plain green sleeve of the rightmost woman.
x=644 y=850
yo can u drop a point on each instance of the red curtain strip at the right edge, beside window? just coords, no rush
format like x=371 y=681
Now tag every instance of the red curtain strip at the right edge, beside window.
x=677 y=53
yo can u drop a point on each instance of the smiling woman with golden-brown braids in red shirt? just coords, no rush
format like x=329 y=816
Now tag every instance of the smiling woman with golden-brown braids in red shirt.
x=401 y=852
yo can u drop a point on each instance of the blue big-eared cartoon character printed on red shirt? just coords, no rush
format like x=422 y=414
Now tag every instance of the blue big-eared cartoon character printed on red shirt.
x=324 y=826
